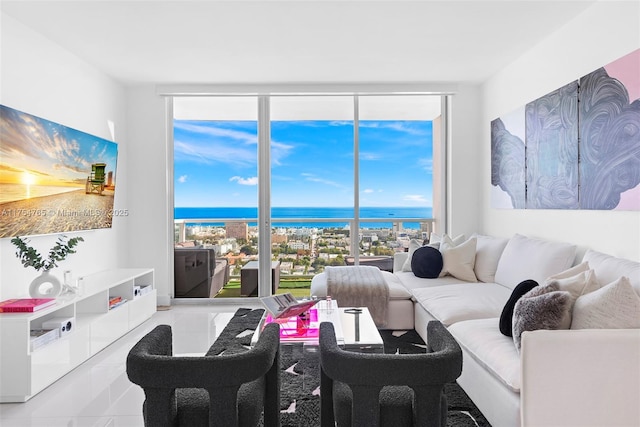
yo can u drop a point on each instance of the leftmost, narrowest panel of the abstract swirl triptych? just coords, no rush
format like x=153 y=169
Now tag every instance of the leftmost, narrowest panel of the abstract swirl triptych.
x=508 y=161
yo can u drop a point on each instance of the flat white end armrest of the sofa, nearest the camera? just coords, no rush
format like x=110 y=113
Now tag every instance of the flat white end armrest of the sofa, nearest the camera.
x=587 y=377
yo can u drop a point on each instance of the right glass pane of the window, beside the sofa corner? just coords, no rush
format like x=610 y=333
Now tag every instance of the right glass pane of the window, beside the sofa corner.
x=395 y=169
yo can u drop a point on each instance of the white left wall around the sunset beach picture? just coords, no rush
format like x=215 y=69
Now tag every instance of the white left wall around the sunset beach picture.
x=43 y=79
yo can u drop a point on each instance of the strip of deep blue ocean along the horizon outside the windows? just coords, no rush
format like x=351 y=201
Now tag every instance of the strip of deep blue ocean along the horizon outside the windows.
x=386 y=215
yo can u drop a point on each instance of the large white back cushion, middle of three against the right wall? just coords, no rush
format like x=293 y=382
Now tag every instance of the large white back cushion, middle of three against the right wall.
x=526 y=258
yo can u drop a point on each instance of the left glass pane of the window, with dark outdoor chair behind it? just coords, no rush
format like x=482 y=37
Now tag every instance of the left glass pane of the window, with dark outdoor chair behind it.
x=215 y=196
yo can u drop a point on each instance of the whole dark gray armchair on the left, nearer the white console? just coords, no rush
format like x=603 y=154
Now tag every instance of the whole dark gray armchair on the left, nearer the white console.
x=224 y=390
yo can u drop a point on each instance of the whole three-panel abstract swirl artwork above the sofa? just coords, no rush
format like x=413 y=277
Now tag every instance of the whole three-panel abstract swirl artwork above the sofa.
x=577 y=147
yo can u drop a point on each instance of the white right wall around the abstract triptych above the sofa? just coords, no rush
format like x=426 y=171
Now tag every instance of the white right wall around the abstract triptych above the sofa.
x=601 y=34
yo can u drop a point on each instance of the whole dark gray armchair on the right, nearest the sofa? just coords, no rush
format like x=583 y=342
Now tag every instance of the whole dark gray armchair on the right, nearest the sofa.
x=358 y=389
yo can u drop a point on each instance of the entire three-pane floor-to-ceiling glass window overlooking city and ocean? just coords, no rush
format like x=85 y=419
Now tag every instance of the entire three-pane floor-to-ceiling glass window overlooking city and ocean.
x=326 y=179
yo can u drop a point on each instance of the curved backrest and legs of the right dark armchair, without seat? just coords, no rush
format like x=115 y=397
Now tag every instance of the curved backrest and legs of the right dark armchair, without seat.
x=366 y=374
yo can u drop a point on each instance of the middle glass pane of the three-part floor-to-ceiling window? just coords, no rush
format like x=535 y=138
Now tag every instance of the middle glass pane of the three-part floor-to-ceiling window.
x=312 y=172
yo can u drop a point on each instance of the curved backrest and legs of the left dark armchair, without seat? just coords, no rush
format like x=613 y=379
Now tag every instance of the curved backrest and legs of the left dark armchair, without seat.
x=151 y=365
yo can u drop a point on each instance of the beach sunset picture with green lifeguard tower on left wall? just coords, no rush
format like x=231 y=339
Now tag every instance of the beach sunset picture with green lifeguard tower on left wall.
x=53 y=178
